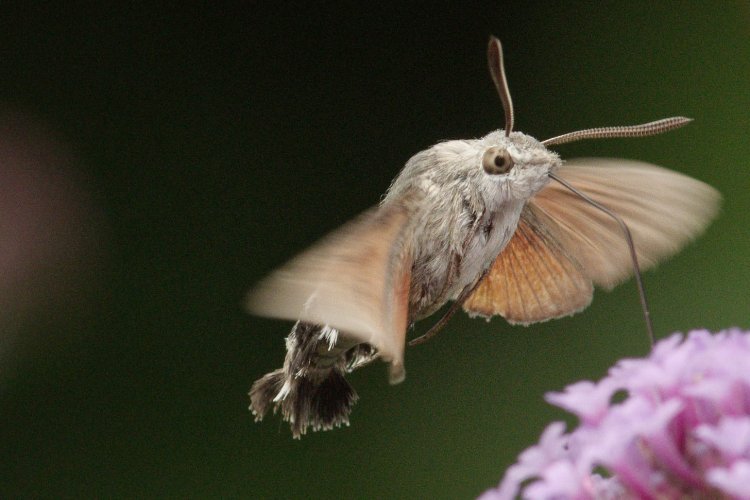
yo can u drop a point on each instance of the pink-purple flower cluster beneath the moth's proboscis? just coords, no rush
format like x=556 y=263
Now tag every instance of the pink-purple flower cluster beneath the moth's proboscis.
x=673 y=425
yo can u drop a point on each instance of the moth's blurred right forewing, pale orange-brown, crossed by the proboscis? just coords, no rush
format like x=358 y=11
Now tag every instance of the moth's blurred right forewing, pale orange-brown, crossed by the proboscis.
x=663 y=209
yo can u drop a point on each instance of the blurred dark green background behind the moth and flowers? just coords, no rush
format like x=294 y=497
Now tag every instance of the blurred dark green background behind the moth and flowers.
x=214 y=142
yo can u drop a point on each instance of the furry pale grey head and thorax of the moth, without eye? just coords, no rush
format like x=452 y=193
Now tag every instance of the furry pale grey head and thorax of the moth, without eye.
x=463 y=216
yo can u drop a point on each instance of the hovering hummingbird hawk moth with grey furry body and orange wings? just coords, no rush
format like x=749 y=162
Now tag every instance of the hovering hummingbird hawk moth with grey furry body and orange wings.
x=477 y=222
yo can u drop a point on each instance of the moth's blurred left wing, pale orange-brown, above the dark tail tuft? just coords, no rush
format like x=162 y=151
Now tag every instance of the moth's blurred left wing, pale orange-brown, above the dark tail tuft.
x=356 y=280
